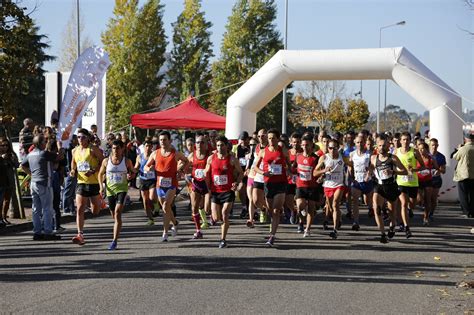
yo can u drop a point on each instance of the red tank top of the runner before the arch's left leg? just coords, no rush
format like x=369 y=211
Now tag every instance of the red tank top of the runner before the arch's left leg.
x=222 y=174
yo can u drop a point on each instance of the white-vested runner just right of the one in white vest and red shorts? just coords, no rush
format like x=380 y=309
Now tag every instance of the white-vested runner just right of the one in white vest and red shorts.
x=359 y=162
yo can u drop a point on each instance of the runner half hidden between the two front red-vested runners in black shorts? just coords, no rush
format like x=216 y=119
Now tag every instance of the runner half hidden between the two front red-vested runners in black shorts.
x=295 y=142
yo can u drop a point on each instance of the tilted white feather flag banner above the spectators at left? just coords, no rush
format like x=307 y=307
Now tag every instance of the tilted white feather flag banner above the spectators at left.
x=88 y=71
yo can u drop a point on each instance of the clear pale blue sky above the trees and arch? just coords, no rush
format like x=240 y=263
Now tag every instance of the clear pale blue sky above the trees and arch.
x=432 y=33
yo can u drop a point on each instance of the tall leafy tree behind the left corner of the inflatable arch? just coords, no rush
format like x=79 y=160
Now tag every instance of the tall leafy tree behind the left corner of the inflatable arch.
x=249 y=41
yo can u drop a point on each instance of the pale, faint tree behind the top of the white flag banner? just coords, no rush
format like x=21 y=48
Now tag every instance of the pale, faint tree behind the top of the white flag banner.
x=68 y=54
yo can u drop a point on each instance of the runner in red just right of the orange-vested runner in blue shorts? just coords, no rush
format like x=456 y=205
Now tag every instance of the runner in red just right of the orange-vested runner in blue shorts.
x=199 y=189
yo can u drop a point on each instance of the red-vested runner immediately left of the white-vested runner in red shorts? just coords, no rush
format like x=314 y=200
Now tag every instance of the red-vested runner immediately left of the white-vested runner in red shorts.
x=307 y=189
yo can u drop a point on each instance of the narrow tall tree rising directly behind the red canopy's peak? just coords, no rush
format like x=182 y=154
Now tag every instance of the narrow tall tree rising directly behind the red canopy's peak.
x=192 y=48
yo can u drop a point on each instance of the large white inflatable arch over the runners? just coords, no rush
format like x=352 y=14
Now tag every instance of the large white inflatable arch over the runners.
x=396 y=64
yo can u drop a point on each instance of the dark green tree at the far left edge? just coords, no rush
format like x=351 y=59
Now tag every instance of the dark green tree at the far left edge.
x=22 y=56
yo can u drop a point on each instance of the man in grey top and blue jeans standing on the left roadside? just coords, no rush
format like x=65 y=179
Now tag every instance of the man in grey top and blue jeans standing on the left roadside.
x=37 y=164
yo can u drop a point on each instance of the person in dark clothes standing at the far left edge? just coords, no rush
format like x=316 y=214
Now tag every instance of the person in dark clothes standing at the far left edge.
x=10 y=161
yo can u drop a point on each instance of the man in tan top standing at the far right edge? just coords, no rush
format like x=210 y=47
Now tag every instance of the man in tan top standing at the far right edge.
x=464 y=174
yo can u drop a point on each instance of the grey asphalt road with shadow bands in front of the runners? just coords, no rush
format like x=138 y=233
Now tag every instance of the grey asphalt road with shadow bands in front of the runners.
x=353 y=274
